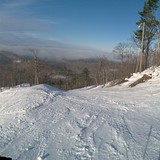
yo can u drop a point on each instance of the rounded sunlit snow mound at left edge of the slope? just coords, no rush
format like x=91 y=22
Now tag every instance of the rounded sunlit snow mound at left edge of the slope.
x=26 y=98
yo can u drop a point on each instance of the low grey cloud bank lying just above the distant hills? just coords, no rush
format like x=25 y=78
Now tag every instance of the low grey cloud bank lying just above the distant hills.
x=52 y=52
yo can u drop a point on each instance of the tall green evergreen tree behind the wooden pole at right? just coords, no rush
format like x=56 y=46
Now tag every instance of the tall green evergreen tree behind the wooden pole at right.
x=148 y=18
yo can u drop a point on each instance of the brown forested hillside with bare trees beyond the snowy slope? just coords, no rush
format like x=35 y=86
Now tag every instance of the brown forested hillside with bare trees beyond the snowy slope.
x=64 y=74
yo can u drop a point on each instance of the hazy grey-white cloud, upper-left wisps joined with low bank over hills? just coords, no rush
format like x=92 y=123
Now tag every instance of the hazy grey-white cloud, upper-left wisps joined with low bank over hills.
x=19 y=33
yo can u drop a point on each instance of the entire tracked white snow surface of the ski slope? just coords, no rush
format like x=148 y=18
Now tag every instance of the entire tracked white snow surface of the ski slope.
x=94 y=123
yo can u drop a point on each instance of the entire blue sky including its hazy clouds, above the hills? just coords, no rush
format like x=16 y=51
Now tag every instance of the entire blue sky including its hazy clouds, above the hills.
x=67 y=28
